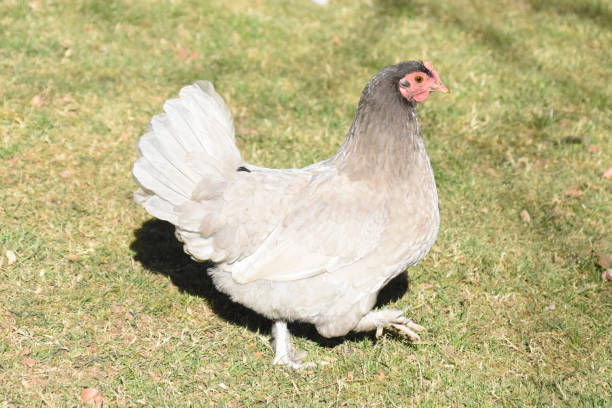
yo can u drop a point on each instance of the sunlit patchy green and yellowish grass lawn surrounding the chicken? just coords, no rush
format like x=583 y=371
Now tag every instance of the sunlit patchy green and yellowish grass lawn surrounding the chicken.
x=100 y=296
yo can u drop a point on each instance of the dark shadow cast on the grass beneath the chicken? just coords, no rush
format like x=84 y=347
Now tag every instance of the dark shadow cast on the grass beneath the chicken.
x=158 y=251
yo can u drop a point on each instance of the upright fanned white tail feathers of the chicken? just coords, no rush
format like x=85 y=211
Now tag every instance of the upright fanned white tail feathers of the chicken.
x=192 y=141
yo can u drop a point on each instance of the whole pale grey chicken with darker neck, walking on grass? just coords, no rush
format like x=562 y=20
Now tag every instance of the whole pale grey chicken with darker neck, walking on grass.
x=315 y=244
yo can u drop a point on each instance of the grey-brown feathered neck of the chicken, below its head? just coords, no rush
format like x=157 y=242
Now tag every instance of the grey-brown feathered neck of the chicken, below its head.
x=384 y=142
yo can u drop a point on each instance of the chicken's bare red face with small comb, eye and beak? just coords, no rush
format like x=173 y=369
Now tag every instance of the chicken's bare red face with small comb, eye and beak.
x=416 y=84
